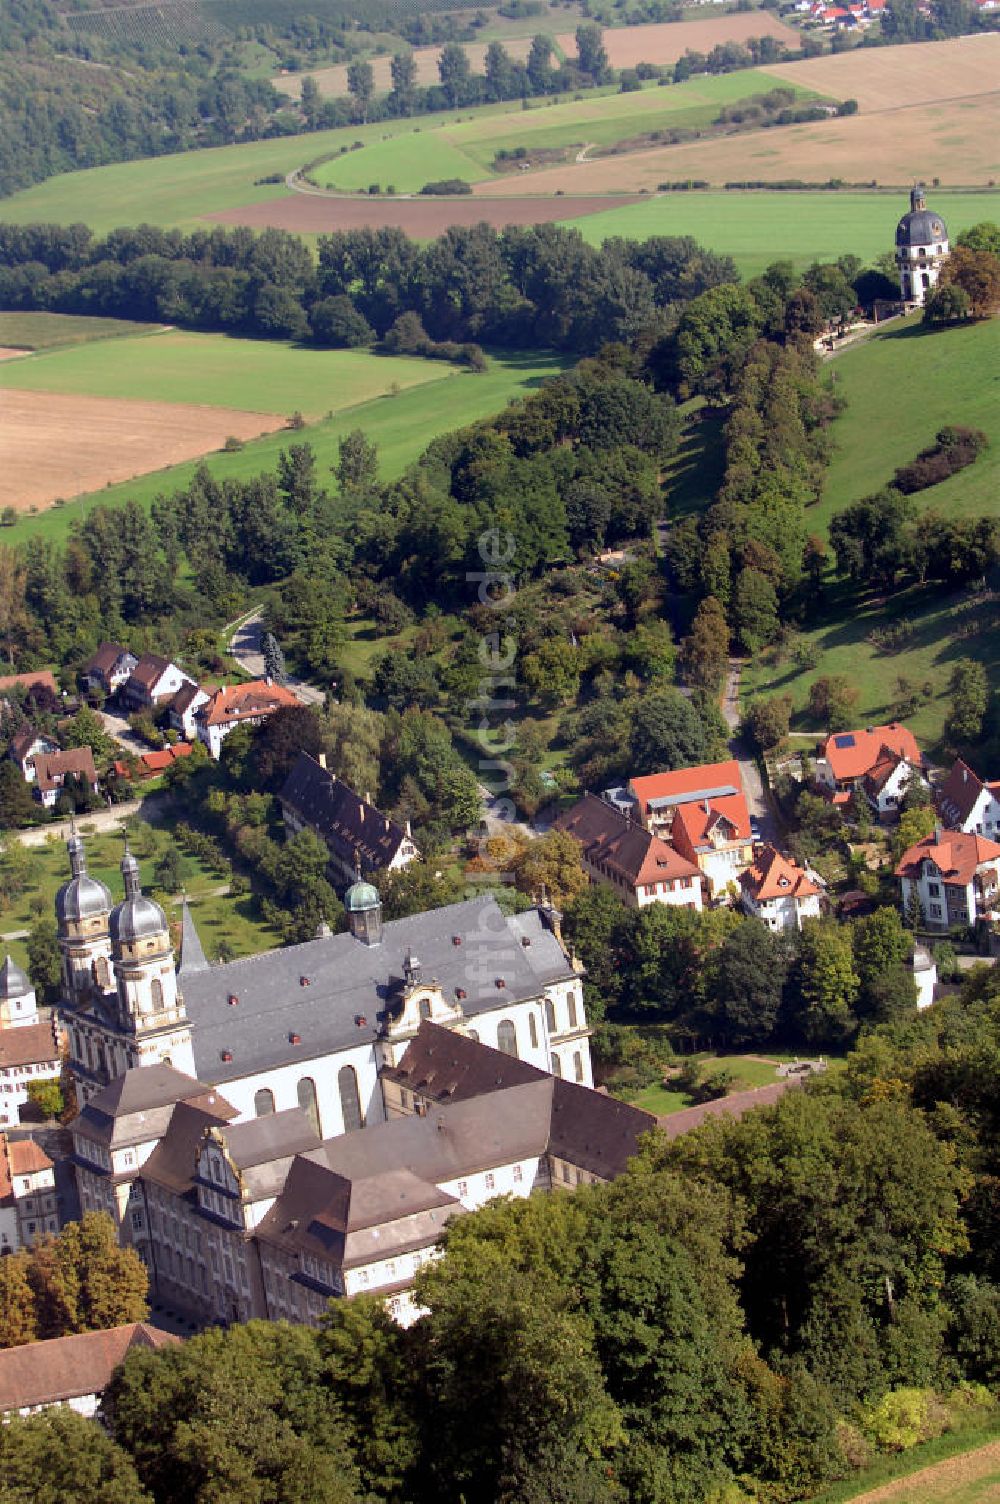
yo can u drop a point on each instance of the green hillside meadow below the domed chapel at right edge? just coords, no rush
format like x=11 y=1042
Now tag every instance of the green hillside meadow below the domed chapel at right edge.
x=935 y=377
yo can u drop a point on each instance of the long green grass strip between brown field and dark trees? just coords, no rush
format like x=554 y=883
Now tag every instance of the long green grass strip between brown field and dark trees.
x=401 y=426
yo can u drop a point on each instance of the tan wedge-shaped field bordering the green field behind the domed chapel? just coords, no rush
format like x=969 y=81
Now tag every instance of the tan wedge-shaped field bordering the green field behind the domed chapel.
x=957 y=142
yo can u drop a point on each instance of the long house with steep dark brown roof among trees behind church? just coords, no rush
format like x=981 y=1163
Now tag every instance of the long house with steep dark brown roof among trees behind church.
x=357 y=835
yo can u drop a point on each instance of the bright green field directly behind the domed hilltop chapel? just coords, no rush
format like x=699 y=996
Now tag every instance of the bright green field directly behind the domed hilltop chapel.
x=760 y=228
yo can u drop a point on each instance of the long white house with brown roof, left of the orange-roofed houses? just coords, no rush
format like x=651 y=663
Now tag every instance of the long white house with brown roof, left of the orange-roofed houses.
x=622 y=854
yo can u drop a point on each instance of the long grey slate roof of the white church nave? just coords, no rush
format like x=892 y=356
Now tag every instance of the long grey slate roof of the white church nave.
x=333 y=993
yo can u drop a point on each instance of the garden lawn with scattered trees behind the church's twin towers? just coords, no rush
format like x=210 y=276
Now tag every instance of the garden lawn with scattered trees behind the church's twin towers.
x=217 y=915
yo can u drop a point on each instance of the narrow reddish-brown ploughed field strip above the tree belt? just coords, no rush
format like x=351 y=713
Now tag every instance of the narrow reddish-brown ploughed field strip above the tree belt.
x=422 y=219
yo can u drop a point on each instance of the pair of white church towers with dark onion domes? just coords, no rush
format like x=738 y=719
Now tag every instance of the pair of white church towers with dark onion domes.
x=123 y=1005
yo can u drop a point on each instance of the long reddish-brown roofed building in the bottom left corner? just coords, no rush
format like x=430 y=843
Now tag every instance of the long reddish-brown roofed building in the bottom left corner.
x=70 y=1371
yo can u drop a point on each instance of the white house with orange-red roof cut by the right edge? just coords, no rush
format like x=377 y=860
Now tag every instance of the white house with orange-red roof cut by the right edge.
x=954 y=876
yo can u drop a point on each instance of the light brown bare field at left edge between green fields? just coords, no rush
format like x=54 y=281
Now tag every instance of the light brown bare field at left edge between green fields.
x=55 y=446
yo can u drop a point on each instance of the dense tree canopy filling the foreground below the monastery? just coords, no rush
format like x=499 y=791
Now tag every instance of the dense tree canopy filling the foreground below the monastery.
x=754 y=1309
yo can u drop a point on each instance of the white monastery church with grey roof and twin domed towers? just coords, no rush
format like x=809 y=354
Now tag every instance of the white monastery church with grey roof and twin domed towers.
x=315 y=1025
